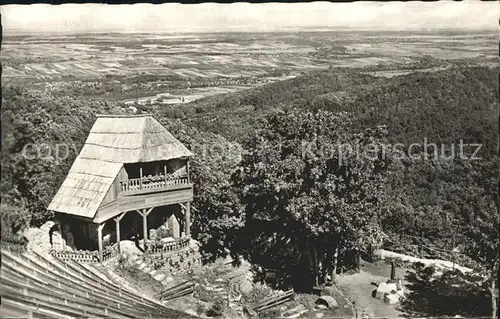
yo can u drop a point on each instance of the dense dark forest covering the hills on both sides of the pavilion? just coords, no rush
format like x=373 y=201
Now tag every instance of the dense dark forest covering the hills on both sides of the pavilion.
x=276 y=209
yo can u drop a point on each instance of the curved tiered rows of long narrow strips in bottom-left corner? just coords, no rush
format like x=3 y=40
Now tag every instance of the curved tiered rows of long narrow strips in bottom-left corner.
x=38 y=286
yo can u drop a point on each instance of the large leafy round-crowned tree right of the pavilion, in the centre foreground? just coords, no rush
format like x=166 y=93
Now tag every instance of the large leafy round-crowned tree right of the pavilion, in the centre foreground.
x=312 y=189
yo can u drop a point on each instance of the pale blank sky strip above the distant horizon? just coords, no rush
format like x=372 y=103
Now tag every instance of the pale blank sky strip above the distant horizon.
x=241 y=16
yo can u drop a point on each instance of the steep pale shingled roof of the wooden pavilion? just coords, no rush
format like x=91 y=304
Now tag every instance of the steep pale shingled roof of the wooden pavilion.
x=114 y=140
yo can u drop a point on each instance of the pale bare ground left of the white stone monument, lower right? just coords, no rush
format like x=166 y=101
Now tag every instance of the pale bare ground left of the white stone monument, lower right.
x=358 y=288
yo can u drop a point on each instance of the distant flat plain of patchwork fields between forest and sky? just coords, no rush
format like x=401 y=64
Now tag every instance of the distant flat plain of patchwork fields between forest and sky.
x=179 y=68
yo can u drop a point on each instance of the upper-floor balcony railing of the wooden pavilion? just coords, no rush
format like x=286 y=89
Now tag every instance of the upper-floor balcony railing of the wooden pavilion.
x=153 y=182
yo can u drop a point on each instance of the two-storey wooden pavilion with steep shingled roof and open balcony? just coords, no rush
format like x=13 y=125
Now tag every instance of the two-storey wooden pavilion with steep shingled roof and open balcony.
x=131 y=171
